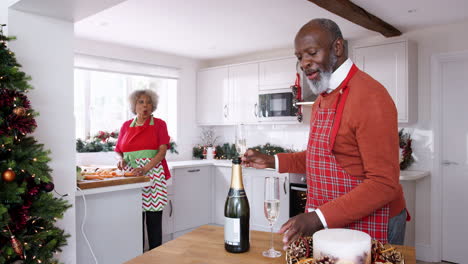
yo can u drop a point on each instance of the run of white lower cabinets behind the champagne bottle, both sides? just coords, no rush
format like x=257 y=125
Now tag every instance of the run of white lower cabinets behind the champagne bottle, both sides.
x=200 y=193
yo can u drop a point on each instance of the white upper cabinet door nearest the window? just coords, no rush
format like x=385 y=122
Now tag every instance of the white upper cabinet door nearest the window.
x=214 y=98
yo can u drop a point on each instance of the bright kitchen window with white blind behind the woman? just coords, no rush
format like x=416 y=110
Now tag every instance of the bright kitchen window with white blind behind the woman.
x=102 y=87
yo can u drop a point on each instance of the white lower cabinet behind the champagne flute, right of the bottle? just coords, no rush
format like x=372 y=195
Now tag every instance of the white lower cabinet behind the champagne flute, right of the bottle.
x=257 y=216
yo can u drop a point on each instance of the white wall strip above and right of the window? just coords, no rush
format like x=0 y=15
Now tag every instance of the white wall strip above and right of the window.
x=187 y=130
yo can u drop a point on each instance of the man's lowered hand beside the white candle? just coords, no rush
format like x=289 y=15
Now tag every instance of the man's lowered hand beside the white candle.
x=305 y=224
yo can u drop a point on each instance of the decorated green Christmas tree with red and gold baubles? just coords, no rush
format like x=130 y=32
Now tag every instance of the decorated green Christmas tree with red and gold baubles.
x=28 y=209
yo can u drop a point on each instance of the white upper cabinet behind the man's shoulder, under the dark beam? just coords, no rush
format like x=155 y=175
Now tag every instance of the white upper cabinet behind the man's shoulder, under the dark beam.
x=394 y=65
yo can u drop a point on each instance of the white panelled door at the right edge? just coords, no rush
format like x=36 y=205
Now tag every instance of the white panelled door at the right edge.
x=454 y=160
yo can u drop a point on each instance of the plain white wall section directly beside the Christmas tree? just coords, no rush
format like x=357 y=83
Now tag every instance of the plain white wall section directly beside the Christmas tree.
x=43 y=47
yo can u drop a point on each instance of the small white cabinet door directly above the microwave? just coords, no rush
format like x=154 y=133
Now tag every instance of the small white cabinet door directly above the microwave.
x=277 y=74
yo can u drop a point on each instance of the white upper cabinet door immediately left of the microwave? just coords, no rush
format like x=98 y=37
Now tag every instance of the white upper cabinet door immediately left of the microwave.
x=243 y=80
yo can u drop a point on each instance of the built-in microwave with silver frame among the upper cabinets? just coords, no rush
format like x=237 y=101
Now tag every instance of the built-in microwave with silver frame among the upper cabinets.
x=277 y=106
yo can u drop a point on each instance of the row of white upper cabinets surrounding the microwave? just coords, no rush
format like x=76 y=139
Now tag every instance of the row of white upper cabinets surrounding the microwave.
x=229 y=94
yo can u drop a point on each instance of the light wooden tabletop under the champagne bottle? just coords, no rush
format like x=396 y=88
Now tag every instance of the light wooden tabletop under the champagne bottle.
x=205 y=245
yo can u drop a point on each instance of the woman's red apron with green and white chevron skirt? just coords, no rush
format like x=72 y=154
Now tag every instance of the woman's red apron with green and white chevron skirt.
x=154 y=197
